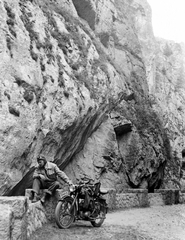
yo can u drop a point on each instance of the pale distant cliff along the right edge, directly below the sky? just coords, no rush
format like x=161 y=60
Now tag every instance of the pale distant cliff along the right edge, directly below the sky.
x=167 y=90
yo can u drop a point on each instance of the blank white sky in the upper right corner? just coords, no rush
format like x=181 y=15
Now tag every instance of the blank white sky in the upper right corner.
x=168 y=19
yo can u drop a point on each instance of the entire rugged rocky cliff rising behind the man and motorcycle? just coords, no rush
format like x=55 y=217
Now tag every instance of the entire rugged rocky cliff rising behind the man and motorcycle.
x=86 y=83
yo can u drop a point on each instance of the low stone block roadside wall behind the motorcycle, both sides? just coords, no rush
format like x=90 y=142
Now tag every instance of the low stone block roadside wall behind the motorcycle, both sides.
x=20 y=218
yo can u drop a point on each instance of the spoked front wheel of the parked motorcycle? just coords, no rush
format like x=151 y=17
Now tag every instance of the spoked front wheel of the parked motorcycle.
x=64 y=212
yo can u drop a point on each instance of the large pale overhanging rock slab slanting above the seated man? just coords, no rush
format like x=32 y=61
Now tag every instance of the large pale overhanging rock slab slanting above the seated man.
x=57 y=86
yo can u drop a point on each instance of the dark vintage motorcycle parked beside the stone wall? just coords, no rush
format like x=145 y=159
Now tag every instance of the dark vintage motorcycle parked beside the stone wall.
x=84 y=202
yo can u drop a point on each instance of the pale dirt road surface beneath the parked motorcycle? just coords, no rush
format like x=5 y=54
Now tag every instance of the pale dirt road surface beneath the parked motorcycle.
x=154 y=223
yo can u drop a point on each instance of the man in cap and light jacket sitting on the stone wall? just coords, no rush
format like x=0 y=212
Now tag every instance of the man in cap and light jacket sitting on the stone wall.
x=46 y=177
